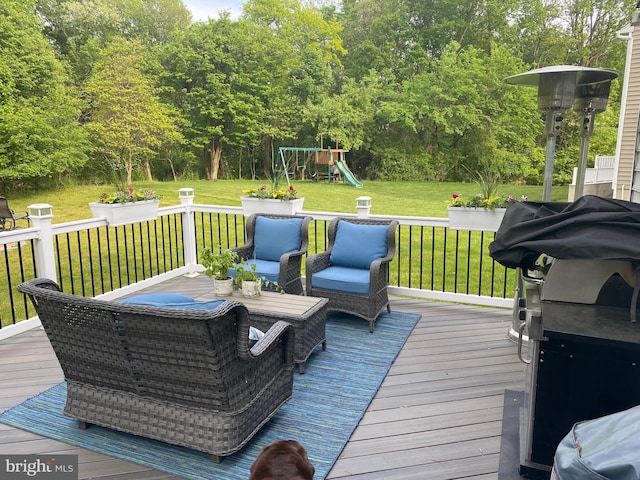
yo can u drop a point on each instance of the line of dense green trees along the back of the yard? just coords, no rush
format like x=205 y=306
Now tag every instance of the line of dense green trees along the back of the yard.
x=118 y=90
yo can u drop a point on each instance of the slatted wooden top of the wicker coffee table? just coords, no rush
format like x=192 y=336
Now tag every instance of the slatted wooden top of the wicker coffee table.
x=284 y=305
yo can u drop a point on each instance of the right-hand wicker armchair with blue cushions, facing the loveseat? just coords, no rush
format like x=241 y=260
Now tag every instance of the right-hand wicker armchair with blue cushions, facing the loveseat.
x=353 y=273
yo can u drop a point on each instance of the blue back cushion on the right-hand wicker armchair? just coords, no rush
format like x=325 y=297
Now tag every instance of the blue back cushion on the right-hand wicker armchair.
x=356 y=246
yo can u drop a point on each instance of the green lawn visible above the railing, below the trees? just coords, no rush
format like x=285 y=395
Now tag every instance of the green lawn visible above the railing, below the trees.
x=387 y=198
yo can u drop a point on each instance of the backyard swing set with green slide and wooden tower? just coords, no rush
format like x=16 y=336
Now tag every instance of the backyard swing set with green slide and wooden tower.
x=326 y=164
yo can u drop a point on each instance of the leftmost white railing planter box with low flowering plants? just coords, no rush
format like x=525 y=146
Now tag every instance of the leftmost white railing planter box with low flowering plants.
x=126 y=205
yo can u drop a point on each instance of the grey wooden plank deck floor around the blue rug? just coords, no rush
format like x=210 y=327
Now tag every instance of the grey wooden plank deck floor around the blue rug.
x=437 y=415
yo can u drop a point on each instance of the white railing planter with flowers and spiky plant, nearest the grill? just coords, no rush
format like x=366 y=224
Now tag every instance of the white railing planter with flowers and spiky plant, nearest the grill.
x=483 y=211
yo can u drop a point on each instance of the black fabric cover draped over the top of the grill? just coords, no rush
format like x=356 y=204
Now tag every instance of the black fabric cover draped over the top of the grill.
x=591 y=227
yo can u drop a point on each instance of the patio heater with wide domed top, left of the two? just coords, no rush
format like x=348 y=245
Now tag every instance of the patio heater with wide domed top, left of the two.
x=558 y=87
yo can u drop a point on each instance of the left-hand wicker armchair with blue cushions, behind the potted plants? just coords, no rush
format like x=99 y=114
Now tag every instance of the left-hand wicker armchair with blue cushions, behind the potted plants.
x=276 y=244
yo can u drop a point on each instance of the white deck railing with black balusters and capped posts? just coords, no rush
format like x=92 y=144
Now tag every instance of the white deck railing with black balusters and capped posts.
x=38 y=243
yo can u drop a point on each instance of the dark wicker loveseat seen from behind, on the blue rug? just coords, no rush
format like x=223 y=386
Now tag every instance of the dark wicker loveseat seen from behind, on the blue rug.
x=185 y=377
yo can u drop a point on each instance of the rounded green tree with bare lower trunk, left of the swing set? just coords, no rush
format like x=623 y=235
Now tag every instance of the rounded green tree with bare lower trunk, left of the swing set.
x=215 y=94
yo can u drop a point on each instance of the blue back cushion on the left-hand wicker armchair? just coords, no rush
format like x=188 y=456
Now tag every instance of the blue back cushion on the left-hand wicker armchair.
x=275 y=237
